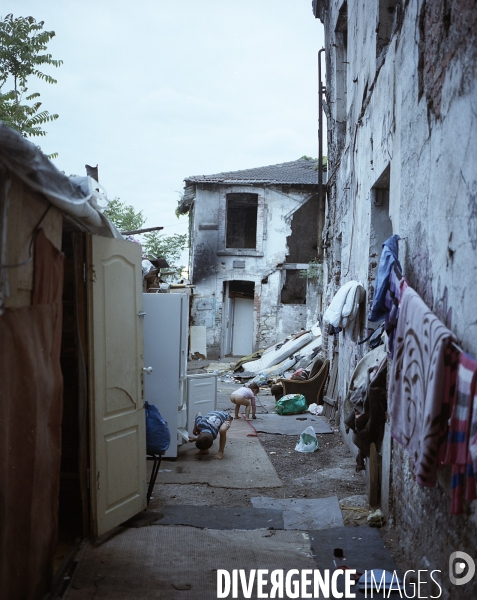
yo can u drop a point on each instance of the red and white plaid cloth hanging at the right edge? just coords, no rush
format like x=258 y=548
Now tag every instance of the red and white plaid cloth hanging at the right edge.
x=458 y=446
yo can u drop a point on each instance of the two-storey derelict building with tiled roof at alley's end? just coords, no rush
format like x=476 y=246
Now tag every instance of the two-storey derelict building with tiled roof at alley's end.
x=253 y=235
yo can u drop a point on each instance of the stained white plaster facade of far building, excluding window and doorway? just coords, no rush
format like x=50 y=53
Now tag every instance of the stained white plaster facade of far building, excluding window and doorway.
x=212 y=264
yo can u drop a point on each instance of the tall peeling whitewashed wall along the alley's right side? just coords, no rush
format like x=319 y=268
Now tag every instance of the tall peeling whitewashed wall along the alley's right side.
x=412 y=108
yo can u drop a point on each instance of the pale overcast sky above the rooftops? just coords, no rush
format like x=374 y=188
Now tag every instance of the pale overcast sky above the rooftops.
x=154 y=91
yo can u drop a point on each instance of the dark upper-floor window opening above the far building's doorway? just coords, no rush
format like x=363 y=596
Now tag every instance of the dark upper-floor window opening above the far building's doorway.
x=241 y=220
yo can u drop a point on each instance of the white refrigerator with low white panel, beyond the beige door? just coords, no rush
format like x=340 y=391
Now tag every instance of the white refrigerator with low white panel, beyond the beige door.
x=166 y=384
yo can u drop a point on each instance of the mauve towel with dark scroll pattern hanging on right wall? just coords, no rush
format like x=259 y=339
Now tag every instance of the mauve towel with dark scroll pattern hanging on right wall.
x=416 y=384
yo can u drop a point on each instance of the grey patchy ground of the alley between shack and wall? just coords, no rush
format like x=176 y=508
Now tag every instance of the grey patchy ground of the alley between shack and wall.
x=196 y=531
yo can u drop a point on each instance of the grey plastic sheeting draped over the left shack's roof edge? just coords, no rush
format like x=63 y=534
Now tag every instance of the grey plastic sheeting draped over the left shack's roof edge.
x=75 y=196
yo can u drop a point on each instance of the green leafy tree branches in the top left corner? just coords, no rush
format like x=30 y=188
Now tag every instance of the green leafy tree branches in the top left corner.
x=23 y=45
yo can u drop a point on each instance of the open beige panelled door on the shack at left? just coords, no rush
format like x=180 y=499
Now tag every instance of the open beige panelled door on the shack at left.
x=118 y=429
